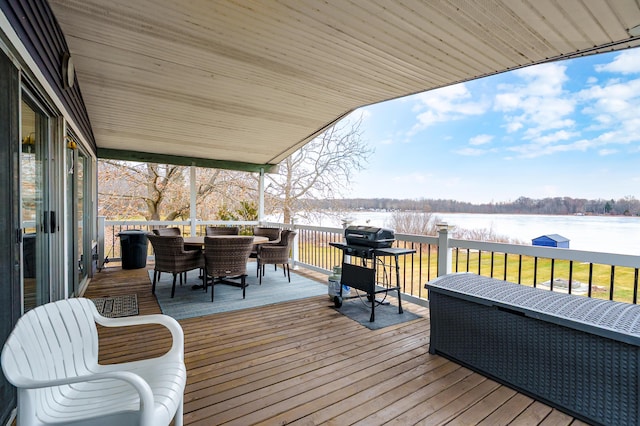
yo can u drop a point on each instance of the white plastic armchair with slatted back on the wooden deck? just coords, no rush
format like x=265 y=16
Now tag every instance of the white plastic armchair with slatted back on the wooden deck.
x=51 y=356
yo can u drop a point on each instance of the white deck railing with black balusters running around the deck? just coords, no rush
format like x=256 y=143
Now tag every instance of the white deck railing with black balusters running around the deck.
x=593 y=274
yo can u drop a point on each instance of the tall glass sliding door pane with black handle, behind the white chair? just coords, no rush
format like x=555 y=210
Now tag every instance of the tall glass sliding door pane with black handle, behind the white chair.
x=36 y=216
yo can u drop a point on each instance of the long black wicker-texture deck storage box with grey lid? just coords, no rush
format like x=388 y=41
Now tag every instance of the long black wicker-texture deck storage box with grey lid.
x=574 y=353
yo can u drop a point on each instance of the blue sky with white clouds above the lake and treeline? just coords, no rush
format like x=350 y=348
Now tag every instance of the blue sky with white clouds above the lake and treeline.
x=569 y=128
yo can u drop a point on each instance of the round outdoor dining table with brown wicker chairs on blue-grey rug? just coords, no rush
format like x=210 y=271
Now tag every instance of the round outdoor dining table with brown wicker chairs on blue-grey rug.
x=221 y=254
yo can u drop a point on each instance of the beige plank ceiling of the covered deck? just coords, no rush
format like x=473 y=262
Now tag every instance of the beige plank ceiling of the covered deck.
x=252 y=81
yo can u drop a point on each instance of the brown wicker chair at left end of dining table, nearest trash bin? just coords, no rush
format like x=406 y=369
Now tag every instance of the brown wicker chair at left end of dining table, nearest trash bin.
x=171 y=256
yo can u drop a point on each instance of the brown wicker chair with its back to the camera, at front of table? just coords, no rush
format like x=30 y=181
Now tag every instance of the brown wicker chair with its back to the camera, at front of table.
x=224 y=259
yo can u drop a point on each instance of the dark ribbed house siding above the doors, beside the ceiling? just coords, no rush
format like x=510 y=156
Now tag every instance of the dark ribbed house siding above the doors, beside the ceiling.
x=38 y=29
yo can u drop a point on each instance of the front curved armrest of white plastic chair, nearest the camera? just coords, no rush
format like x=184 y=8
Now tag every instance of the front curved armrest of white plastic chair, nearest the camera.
x=138 y=383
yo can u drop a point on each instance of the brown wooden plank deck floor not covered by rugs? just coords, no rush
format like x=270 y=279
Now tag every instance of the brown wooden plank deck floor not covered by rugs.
x=303 y=363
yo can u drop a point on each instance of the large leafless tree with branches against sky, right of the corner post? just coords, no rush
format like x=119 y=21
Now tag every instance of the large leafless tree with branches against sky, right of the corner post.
x=318 y=170
